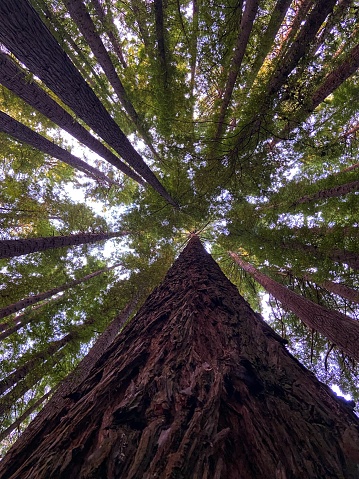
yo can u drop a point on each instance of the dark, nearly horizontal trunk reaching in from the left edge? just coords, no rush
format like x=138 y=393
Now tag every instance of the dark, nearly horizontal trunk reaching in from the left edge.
x=11 y=248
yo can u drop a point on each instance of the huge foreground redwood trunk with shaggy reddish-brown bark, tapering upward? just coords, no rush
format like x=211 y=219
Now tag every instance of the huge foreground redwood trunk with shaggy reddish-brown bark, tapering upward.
x=197 y=385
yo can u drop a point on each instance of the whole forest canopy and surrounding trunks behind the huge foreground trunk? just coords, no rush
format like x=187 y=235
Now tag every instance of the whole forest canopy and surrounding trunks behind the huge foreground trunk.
x=237 y=120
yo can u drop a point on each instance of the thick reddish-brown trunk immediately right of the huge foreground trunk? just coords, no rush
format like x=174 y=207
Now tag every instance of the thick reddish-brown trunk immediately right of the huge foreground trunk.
x=340 y=329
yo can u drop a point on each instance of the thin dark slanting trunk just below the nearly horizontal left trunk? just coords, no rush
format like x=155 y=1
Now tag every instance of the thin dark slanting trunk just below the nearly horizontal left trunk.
x=24 y=303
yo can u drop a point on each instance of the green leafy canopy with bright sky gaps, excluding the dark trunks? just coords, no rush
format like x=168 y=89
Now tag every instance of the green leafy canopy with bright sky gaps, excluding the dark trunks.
x=240 y=192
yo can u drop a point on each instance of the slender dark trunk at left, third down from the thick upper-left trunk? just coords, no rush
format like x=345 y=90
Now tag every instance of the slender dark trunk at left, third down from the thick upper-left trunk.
x=22 y=133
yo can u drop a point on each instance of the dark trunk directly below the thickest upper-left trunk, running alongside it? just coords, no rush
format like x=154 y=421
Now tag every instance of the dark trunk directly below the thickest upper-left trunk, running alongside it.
x=15 y=80
